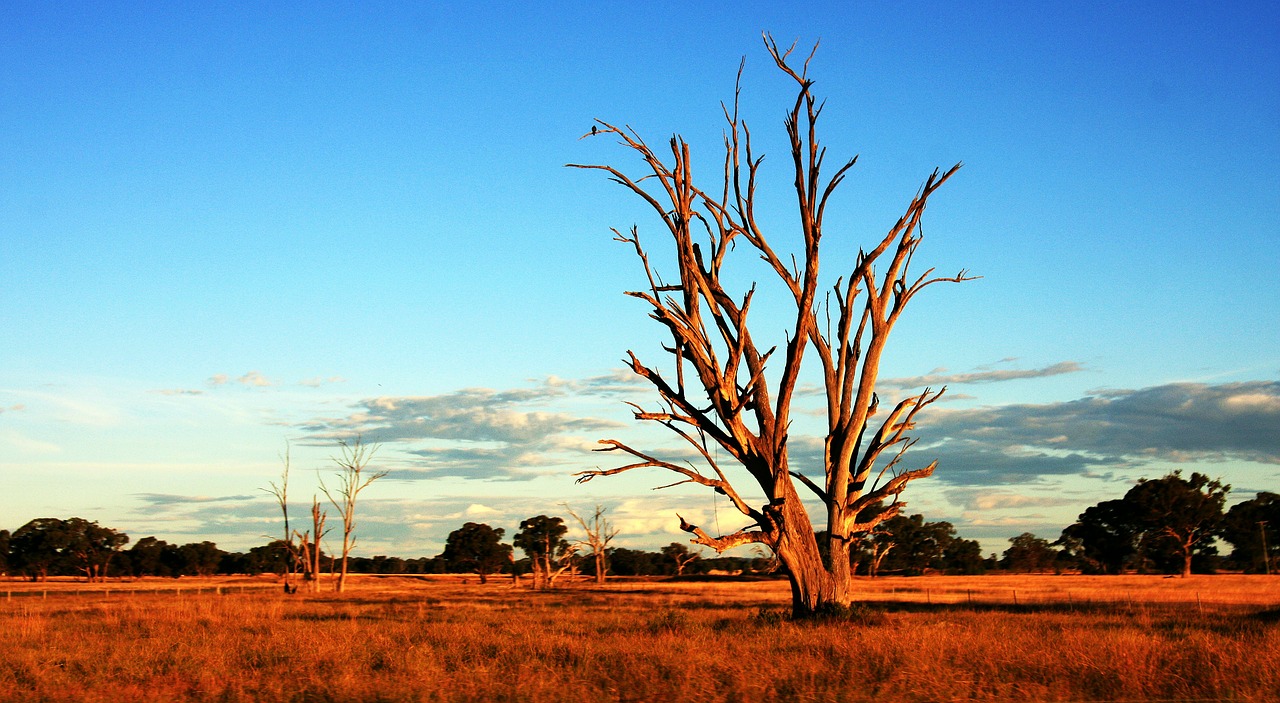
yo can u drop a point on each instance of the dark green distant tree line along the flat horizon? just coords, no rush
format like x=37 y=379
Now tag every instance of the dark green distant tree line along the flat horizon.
x=1168 y=526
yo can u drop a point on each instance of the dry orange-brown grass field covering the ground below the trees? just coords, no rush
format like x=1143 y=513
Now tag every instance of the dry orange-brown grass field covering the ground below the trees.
x=931 y=640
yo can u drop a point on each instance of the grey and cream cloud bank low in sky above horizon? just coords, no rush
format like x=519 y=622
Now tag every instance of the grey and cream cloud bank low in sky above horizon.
x=1000 y=467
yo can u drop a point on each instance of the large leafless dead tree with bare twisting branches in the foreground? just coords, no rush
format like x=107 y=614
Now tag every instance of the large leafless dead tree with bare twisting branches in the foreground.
x=729 y=392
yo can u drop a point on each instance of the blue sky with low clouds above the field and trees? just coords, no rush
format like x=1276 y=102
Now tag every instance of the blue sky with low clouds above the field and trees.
x=225 y=230
